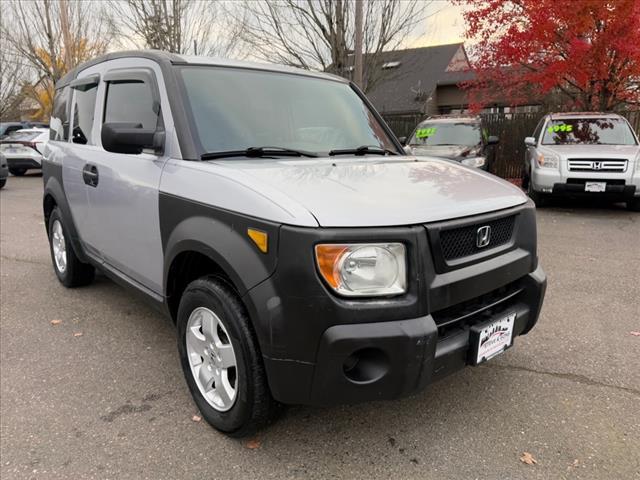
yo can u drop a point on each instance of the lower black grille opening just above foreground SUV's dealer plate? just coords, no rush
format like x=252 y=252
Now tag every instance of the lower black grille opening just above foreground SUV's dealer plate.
x=477 y=309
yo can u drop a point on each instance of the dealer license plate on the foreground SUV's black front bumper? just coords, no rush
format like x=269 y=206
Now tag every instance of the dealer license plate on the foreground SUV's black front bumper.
x=491 y=338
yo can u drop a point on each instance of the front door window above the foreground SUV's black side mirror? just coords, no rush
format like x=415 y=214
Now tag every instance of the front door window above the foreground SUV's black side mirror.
x=130 y=102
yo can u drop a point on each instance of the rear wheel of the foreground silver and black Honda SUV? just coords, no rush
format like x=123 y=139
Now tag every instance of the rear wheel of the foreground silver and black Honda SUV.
x=68 y=268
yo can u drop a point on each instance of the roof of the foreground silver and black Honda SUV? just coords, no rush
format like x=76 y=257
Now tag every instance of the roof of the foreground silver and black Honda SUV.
x=167 y=58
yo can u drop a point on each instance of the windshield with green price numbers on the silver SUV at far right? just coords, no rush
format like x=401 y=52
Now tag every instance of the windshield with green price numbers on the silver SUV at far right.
x=588 y=131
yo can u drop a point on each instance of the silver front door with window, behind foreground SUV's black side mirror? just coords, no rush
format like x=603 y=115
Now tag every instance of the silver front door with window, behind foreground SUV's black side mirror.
x=123 y=202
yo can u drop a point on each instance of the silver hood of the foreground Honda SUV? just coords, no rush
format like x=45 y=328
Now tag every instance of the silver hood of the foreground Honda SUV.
x=367 y=192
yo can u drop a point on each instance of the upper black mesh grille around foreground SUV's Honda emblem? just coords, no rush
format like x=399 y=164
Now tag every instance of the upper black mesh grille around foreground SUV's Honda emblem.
x=463 y=241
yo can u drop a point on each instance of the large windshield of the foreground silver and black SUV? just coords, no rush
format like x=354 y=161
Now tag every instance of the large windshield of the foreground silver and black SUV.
x=235 y=109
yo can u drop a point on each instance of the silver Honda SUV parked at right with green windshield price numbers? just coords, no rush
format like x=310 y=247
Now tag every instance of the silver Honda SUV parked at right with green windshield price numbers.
x=583 y=154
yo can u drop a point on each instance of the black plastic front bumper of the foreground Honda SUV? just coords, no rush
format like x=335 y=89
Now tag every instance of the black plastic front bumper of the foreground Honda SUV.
x=387 y=360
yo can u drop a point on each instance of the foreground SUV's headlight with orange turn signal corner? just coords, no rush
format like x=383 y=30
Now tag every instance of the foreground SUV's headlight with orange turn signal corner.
x=363 y=269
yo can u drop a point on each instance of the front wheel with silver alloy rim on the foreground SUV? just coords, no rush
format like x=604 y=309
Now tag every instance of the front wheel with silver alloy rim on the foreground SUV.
x=239 y=403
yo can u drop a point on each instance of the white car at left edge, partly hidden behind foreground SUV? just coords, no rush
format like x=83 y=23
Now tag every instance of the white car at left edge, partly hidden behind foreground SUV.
x=23 y=149
